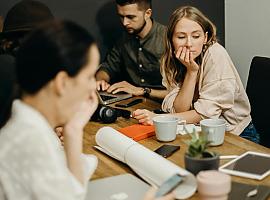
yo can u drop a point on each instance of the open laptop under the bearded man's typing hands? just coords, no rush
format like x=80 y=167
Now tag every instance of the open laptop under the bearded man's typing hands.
x=106 y=98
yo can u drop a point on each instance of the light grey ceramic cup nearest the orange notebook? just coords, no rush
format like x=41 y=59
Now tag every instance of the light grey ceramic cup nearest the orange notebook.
x=165 y=127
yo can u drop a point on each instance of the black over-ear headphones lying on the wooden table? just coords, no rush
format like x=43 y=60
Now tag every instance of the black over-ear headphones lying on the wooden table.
x=107 y=114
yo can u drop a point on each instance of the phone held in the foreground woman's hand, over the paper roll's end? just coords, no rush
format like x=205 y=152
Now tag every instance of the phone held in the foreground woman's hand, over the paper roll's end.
x=169 y=185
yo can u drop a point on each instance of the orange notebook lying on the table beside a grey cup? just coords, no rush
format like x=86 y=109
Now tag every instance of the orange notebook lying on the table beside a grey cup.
x=138 y=132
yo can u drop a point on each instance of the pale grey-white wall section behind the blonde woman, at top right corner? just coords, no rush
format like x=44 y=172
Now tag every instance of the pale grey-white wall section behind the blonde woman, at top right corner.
x=247 y=32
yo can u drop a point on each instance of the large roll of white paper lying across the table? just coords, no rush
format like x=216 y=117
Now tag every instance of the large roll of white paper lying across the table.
x=152 y=167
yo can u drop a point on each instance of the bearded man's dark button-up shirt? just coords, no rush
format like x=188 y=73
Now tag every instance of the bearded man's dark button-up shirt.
x=136 y=60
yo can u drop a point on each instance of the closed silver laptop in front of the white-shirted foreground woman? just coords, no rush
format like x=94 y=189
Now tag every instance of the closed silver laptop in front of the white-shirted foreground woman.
x=124 y=187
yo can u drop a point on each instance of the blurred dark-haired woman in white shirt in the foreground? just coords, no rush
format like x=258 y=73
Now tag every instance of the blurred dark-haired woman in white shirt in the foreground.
x=56 y=68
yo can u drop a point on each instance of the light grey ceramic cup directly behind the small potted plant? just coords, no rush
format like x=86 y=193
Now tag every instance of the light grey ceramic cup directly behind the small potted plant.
x=214 y=129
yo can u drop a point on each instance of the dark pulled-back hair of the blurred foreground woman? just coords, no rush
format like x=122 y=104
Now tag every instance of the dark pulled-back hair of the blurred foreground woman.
x=54 y=47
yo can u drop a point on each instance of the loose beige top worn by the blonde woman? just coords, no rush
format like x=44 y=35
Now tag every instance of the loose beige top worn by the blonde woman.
x=221 y=93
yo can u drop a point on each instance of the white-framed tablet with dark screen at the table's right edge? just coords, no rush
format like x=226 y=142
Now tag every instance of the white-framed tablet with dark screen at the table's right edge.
x=250 y=165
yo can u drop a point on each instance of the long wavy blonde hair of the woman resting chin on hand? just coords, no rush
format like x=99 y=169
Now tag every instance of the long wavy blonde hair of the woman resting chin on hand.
x=170 y=66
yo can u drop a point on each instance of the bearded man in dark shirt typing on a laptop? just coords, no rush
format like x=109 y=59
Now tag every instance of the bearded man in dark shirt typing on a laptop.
x=133 y=64
